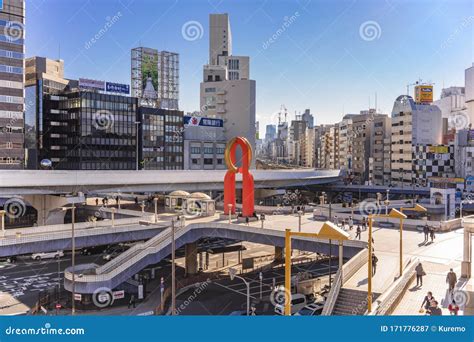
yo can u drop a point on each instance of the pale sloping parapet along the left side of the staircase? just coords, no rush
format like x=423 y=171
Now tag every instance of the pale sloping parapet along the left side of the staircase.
x=346 y=272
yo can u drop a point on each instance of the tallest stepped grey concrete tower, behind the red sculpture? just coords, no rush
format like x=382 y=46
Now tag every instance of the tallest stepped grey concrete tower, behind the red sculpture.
x=226 y=92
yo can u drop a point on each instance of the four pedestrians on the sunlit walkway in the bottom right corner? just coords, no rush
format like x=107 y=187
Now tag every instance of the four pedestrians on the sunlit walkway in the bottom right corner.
x=430 y=304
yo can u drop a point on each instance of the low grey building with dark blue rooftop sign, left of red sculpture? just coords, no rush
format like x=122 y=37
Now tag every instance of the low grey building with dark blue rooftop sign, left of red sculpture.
x=204 y=143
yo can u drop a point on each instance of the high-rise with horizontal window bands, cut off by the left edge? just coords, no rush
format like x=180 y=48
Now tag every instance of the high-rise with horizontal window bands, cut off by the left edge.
x=12 y=97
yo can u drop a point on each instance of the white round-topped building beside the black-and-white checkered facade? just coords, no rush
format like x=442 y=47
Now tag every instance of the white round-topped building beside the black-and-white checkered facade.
x=412 y=124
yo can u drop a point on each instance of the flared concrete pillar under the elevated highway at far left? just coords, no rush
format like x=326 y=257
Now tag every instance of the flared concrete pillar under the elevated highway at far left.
x=48 y=208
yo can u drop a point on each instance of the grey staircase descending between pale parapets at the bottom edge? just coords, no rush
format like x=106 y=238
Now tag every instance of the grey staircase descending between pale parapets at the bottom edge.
x=352 y=302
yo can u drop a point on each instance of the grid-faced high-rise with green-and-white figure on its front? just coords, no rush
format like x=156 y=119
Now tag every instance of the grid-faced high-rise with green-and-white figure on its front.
x=155 y=78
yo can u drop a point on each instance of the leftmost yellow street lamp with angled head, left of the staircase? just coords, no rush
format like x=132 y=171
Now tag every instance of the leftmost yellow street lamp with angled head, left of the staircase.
x=328 y=231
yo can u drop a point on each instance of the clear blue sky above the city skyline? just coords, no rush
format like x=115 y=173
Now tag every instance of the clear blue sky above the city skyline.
x=323 y=60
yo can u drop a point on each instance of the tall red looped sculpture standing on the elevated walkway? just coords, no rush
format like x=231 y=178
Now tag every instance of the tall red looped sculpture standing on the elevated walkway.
x=247 y=178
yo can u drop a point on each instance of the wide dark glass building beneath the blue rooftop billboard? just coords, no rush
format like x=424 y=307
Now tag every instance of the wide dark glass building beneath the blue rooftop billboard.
x=90 y=131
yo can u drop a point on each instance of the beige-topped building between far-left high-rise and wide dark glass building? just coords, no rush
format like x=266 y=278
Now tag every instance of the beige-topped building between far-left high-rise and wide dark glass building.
x=43 y=76
